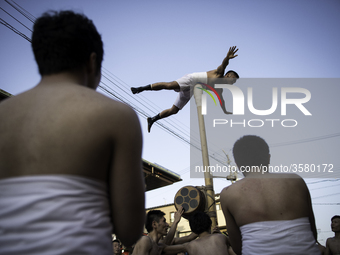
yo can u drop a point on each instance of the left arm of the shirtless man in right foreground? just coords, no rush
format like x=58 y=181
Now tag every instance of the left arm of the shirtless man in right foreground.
x=234 y=232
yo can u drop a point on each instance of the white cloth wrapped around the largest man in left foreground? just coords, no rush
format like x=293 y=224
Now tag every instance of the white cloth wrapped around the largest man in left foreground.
x=54 y=214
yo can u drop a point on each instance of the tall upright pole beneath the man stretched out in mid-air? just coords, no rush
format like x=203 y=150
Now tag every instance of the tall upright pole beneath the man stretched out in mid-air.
x=209 y=185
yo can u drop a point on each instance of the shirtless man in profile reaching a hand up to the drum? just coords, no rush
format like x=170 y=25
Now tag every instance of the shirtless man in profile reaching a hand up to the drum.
x=157 y=227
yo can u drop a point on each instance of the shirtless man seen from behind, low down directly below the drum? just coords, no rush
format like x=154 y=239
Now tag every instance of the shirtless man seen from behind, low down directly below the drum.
x=207 y=243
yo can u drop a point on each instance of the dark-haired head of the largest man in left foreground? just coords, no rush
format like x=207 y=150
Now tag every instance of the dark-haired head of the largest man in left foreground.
x=63 y=41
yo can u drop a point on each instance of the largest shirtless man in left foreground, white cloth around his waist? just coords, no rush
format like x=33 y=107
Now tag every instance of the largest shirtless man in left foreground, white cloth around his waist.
x=67 y=152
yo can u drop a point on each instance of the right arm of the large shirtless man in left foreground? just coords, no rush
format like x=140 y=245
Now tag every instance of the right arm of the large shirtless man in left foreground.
x=126 y=176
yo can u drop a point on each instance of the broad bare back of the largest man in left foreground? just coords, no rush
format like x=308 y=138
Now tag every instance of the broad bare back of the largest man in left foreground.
x=71 y=124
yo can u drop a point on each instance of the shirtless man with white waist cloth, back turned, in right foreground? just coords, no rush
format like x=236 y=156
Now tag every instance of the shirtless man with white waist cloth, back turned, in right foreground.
x=267 y=213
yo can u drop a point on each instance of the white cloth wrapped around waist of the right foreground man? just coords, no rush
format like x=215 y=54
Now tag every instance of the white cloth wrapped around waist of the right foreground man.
x=279 y=237
